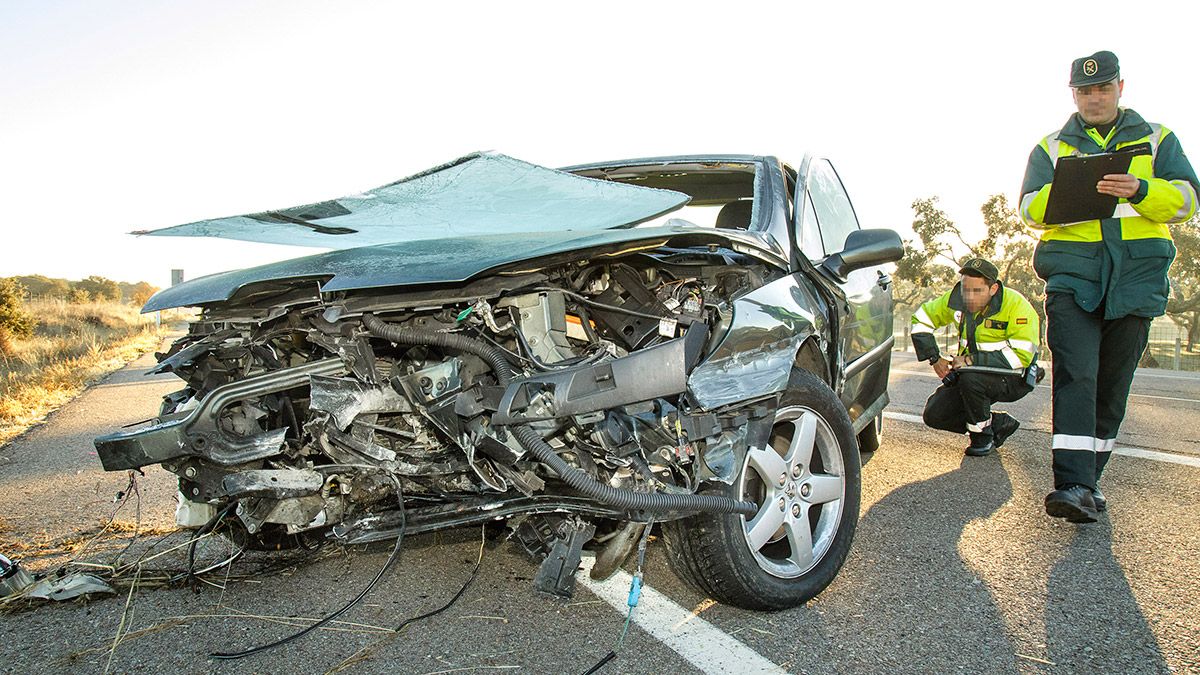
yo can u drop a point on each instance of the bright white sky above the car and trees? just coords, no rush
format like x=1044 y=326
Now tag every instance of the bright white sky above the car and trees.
x=140 y=115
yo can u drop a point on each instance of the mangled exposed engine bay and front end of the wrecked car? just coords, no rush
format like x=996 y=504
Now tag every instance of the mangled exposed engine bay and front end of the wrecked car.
x=557 y=398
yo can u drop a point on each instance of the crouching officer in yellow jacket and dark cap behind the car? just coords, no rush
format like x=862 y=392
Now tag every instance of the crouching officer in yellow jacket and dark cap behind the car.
x=997 y=359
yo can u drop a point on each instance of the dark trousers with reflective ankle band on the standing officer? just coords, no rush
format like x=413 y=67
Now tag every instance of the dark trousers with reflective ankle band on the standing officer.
x=1094 y=366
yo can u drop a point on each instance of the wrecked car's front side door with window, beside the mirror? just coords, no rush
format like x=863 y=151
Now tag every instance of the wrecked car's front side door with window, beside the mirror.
x=825 y=219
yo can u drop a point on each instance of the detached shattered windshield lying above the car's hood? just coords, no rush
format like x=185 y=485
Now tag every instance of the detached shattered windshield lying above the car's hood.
x=477 y=195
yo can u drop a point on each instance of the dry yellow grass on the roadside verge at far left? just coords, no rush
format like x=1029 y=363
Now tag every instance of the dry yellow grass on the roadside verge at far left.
x=71 y=347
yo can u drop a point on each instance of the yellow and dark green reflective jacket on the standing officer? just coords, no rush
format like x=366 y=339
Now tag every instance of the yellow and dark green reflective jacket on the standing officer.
x=1120 y=261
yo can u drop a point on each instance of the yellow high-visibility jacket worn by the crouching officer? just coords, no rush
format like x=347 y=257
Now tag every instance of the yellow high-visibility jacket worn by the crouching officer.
x=1003 y=337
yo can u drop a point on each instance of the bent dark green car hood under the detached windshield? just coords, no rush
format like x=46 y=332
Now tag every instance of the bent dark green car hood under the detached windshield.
x=446 y=261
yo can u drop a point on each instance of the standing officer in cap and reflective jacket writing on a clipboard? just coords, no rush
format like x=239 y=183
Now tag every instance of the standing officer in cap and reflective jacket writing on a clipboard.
x=1106 y=279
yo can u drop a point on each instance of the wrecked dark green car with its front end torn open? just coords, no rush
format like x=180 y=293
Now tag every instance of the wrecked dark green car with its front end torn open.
x=701 y=343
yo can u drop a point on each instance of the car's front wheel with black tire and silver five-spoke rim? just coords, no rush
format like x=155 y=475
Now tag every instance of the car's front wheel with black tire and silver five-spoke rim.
x=715 y=552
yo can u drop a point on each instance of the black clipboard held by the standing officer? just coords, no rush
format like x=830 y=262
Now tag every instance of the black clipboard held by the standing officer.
x=1073 y=196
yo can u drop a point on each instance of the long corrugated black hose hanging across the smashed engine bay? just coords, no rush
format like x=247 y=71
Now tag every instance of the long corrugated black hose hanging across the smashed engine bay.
x=580 y=481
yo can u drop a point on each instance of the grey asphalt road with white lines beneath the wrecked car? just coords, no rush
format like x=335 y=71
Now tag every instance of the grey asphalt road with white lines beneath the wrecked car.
x=955 y=569
